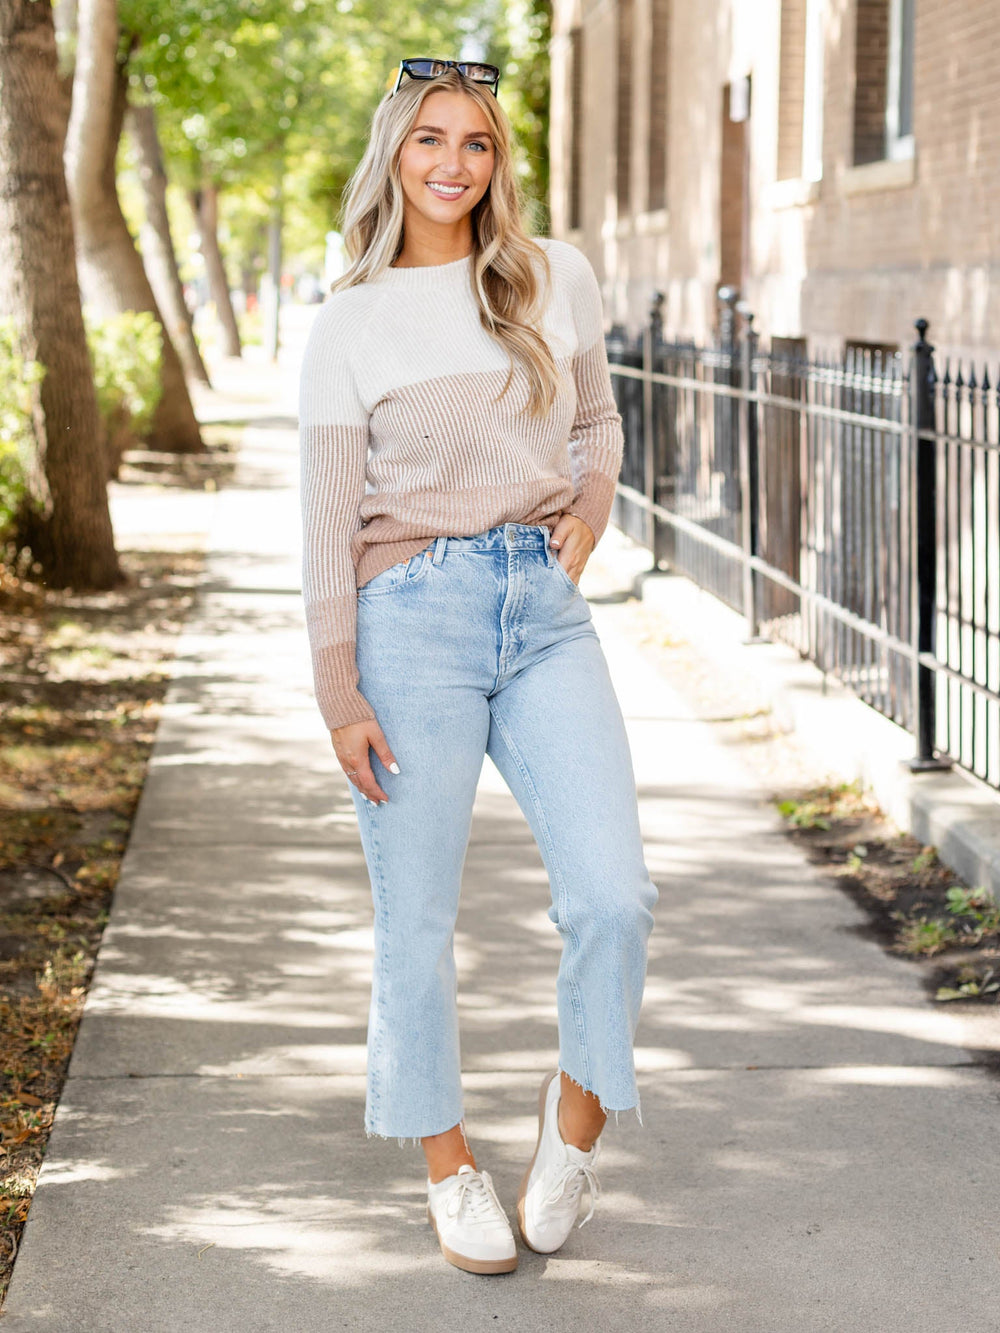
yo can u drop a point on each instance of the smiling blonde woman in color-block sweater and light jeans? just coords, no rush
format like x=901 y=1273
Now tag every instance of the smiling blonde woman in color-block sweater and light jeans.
x=459 y=455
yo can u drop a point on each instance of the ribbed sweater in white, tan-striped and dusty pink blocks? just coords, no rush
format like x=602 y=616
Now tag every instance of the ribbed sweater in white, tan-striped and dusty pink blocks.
x=402 y=442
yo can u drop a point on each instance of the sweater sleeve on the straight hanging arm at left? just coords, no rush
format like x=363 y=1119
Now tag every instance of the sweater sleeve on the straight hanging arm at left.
x=334 y=451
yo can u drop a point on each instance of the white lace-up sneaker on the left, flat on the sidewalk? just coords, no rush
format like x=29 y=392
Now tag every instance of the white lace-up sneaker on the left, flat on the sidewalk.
x=473 y=1228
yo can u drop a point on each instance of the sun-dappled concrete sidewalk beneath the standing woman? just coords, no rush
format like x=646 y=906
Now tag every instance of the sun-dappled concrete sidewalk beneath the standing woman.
x=819 y=1150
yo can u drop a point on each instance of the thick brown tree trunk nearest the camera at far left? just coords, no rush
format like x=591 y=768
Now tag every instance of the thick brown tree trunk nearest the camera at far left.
x=73 y=537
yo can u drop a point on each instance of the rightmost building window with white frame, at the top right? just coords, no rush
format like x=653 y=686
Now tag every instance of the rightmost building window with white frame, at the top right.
x=883 y=81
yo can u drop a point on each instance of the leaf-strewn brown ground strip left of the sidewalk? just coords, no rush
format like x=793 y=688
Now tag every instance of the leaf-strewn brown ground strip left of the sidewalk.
x=83 y=678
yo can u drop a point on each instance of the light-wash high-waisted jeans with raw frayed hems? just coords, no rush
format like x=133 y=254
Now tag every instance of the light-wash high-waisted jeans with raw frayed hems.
x=478 y=646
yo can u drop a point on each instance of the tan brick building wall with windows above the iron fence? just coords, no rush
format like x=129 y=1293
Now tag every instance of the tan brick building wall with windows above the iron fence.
x=837 y=161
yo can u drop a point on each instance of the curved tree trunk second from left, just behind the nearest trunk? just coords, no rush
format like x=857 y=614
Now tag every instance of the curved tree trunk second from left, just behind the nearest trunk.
x=111 y=271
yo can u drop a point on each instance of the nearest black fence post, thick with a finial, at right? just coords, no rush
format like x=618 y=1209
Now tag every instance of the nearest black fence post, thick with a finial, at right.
x=925 y=550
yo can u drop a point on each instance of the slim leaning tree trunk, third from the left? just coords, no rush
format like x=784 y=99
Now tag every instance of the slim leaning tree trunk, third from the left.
x=159 y=257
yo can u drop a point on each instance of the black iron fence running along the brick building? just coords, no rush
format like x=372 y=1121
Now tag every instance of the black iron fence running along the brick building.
x=850 y=507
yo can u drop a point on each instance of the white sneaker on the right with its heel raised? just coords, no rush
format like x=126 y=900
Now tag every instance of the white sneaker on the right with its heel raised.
x=550 y=1199
